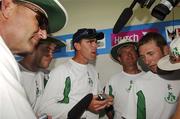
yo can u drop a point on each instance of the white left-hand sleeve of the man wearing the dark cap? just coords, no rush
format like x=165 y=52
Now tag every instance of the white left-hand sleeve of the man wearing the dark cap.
x=53 y=95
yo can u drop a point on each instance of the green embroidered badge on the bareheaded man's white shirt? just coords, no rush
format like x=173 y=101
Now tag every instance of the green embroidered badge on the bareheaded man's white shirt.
x=171 y=97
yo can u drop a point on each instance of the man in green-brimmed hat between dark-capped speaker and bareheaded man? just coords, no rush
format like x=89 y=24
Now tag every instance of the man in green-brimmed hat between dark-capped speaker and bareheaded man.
x=120 y=84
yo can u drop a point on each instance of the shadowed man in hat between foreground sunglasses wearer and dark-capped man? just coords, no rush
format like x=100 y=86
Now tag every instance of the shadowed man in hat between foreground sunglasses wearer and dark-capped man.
x=34 y=69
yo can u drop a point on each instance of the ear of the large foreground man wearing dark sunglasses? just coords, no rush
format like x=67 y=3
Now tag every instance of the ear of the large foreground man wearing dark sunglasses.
x=6 y=7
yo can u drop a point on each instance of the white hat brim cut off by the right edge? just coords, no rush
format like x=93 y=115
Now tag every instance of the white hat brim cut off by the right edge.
x=165 y=64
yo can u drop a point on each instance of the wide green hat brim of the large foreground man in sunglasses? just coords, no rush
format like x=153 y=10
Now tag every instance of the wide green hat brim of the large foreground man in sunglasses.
x=57 y=15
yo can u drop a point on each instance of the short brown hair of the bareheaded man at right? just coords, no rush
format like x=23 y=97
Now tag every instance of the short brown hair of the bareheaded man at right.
x=153 y=36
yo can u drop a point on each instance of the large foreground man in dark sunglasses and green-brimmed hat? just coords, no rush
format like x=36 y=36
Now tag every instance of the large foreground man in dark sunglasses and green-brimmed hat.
x=22 y=24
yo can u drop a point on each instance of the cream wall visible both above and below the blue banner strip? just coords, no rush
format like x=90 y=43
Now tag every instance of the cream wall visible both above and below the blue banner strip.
x=102 y=14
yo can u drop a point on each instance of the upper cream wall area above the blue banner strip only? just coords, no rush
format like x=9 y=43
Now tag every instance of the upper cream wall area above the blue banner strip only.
x=103 y=14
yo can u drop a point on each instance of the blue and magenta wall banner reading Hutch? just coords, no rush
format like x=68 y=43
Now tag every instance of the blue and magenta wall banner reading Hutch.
x=168 y=29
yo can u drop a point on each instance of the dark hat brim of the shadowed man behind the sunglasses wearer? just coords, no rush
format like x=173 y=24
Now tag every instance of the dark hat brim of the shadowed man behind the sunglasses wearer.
x=58 y=42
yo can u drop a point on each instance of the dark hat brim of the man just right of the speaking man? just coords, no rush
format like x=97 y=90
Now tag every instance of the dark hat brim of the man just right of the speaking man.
x=114 y=49
